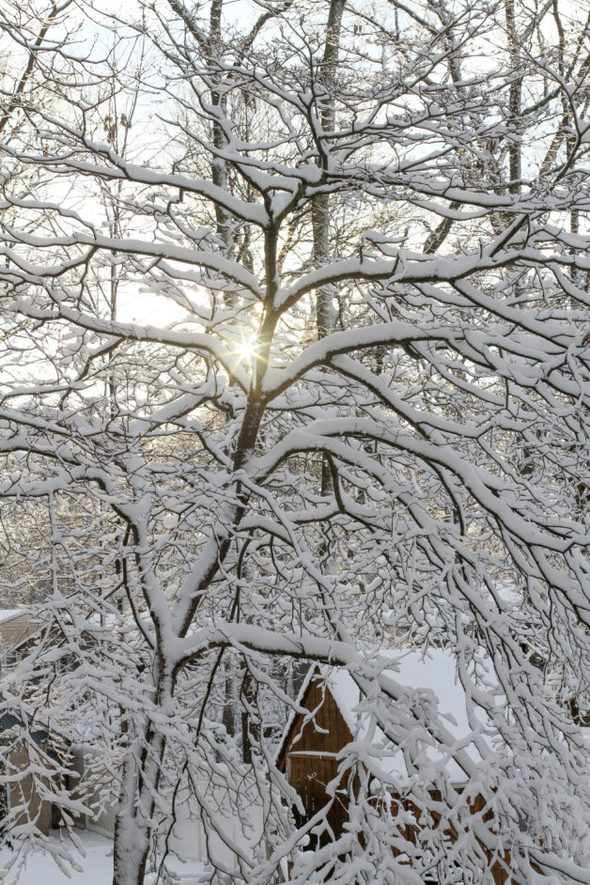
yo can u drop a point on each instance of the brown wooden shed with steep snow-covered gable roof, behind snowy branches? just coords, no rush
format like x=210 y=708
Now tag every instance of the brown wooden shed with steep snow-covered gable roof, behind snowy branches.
x=310 y=750
